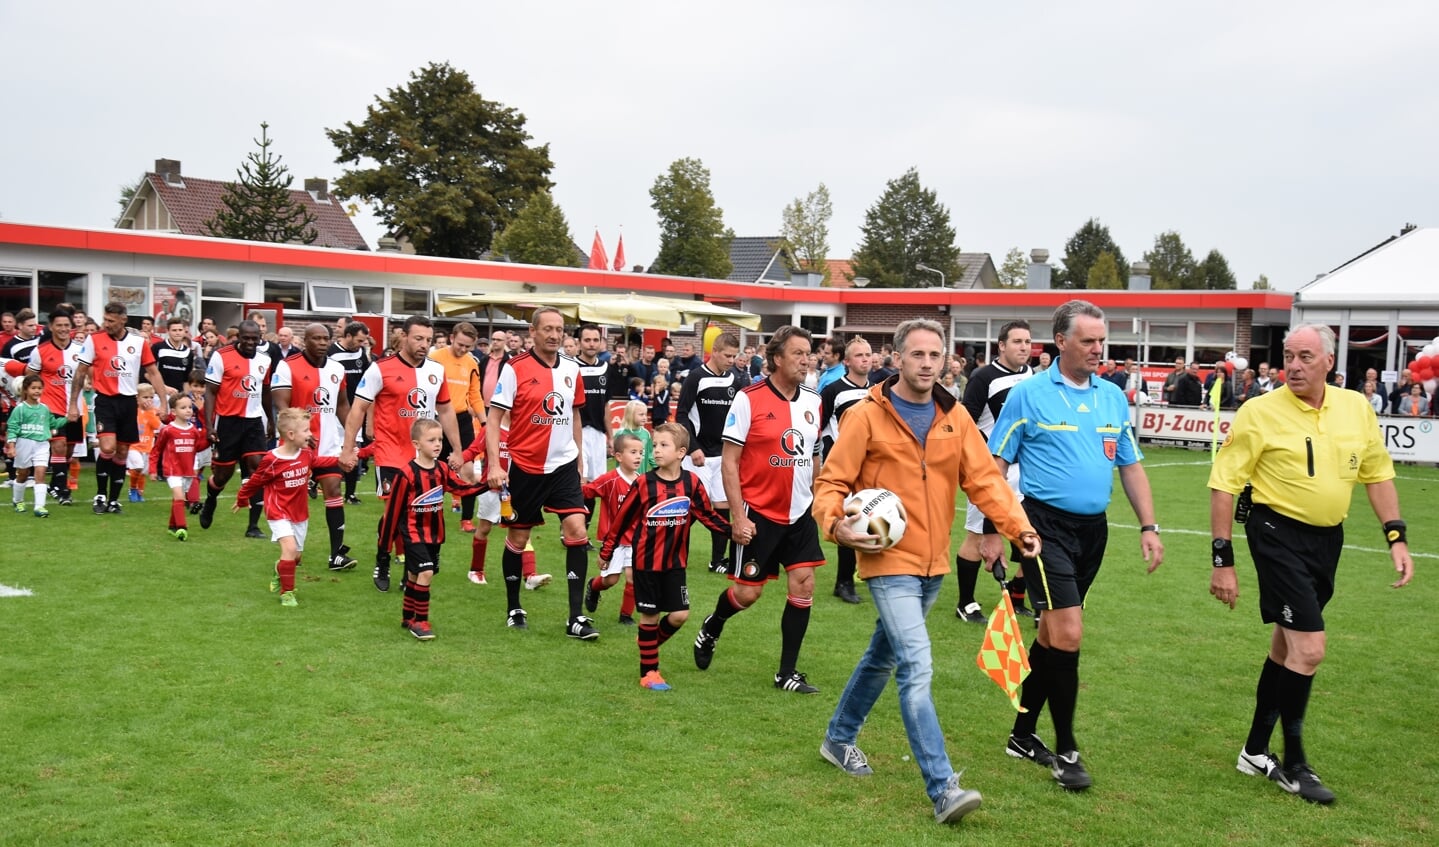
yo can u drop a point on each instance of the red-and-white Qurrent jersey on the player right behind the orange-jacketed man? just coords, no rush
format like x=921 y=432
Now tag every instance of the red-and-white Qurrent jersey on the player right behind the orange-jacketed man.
x=781 y=439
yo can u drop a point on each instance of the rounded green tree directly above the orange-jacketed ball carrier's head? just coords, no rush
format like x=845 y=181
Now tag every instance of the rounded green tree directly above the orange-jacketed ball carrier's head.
x=906 y=228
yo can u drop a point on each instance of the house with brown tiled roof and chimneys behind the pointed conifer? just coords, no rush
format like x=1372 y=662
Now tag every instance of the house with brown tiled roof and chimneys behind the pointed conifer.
x=171 y=202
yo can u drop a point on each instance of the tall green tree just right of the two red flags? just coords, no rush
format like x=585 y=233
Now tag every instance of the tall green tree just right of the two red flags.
x=693 y=238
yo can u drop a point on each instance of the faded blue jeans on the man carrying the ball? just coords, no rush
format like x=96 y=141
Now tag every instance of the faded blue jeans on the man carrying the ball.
x=900 y=648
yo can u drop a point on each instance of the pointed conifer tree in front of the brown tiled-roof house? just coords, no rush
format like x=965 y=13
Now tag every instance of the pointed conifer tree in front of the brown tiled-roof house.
x=258 y=208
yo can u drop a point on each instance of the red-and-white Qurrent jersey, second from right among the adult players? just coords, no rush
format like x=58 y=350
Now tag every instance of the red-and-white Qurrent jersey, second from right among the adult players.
x=543 y=403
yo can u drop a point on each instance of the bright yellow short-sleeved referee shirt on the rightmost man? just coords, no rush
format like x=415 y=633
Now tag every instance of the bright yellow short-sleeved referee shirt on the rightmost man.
x=1303 y=462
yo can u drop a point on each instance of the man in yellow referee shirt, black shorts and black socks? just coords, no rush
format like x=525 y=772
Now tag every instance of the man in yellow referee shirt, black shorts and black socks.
x=1303 y=448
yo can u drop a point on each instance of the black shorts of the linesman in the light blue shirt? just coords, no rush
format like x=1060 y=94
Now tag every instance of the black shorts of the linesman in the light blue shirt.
x=1074 y=551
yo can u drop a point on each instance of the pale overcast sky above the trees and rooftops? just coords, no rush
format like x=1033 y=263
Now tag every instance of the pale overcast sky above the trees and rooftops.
x=1292 y=137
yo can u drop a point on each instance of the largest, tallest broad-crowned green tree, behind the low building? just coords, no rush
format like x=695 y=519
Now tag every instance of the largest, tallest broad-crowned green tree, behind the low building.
x=450 y=170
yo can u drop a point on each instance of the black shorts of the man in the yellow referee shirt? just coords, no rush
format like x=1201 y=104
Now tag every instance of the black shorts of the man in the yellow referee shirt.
x=1296 y=564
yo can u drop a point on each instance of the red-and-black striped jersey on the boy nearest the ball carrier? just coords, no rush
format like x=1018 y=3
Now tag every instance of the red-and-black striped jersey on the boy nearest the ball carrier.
x=657 y=518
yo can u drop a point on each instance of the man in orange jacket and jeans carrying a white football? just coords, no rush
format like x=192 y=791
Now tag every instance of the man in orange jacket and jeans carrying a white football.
x=902 y=428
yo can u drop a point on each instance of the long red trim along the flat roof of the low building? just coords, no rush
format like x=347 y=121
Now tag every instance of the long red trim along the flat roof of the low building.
x=323 y=260
